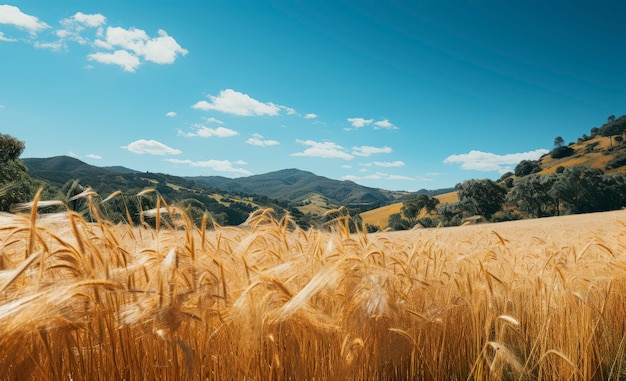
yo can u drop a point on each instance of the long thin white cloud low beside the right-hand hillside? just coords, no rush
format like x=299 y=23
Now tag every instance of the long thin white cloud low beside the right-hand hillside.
x=490 y=162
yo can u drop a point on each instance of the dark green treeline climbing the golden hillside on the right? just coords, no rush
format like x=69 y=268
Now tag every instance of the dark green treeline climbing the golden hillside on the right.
x=526 y=193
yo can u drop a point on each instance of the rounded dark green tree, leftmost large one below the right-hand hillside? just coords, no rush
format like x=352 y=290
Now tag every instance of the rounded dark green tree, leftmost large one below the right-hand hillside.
x=481 y=197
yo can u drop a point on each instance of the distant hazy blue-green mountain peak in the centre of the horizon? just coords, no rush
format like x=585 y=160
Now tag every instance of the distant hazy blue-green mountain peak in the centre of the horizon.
x=296 y=185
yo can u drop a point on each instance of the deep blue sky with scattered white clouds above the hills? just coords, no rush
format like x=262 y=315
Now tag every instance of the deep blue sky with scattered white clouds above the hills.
x=396 y=95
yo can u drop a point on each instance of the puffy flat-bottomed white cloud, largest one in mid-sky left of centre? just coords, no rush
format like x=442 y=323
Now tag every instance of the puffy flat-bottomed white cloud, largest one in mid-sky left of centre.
x=233 y=102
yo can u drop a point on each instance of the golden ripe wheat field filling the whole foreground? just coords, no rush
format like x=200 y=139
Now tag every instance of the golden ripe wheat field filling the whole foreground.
x=524 y=300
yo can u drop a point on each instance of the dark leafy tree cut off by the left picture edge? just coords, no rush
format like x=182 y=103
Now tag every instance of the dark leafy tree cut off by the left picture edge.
x=15 y=184
